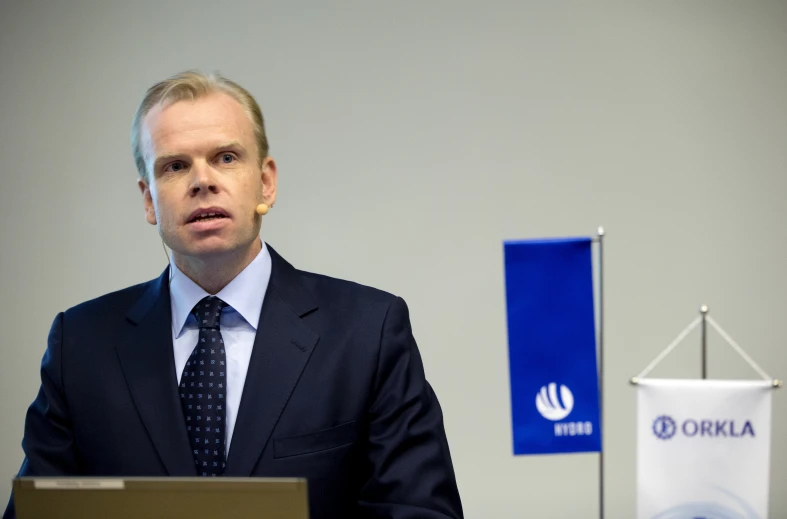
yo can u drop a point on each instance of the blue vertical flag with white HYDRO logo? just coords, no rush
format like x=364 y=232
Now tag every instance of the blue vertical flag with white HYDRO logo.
x=552 y=346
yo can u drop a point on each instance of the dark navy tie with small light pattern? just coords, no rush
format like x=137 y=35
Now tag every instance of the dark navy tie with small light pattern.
x=203 y=389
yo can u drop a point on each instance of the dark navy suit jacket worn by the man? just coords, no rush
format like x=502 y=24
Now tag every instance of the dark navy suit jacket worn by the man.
x=335 y=393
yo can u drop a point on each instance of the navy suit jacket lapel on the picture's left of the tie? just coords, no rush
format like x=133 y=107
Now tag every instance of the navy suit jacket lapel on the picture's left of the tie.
x=147 y=360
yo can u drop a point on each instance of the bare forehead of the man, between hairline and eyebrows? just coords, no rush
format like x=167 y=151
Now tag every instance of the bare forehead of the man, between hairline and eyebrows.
x=187 y=126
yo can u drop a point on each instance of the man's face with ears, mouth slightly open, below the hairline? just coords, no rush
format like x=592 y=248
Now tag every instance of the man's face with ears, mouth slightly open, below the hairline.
x=204 y=177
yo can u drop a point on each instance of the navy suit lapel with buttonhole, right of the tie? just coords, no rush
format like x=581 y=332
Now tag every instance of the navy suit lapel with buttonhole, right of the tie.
x=282 y=348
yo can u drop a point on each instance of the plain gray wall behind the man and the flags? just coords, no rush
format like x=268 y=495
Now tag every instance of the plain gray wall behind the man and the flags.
x=412 y=138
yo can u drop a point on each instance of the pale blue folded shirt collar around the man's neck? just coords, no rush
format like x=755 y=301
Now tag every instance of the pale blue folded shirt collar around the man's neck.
x=244 y=293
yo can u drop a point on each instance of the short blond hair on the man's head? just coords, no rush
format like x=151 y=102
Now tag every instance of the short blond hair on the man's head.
x=192 y=85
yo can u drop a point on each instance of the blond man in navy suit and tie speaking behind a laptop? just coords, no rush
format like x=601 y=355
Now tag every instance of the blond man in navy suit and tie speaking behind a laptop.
x=232 y=362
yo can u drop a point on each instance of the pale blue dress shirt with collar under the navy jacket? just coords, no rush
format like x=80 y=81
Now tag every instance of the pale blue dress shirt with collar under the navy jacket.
x=244 y=296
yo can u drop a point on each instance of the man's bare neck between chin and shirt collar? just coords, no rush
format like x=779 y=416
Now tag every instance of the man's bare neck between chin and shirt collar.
x=214 y=273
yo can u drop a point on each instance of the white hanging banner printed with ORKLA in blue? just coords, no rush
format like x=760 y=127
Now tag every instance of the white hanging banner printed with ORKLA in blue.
x=703 y=449
